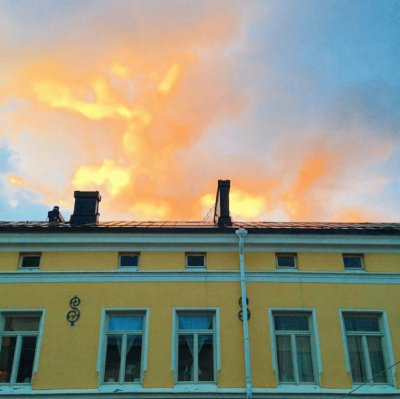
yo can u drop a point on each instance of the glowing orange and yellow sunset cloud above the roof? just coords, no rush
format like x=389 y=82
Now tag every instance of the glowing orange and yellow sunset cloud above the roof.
x=132 y=117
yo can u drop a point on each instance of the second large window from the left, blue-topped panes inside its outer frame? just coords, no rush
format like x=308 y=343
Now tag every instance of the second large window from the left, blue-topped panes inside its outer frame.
x=123 y=347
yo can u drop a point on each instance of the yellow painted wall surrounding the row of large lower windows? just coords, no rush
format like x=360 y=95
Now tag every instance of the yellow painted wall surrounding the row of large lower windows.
x=69 y=354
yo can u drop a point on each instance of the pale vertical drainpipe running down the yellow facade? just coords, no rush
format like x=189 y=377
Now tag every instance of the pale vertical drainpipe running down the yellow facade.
x=242 y=233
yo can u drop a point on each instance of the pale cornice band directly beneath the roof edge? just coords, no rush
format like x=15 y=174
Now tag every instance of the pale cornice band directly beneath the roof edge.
x=206 y=242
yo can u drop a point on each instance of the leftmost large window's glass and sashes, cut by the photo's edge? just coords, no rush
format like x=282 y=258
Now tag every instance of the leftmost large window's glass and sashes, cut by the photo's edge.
x=18 y=341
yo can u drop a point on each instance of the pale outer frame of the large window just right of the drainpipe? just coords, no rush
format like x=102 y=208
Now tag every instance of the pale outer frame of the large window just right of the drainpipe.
x=315 y=345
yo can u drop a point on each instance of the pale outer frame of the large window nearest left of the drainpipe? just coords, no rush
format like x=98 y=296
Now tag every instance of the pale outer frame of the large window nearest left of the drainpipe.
x=175 y=346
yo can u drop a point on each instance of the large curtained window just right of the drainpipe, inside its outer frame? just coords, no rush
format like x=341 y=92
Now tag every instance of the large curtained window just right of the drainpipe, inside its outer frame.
x=295 y=352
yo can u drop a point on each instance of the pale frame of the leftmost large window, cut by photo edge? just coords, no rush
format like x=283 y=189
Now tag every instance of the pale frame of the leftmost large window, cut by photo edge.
x=21 y=312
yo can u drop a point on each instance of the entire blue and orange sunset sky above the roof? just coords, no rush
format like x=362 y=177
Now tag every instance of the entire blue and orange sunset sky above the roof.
x=151 y=102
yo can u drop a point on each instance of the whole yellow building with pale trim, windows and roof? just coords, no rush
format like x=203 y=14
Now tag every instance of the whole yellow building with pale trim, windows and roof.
x=158 y=310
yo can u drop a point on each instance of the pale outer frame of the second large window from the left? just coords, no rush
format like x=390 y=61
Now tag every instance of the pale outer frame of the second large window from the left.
x=101 y=357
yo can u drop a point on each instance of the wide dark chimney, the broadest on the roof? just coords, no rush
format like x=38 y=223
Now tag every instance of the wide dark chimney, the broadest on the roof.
x=86 y=207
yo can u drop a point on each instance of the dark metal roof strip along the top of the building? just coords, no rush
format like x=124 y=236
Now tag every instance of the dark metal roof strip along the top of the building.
x=204 y=227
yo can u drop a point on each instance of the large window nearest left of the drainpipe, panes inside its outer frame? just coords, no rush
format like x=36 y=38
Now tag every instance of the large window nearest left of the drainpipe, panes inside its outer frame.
x=196 y=347
